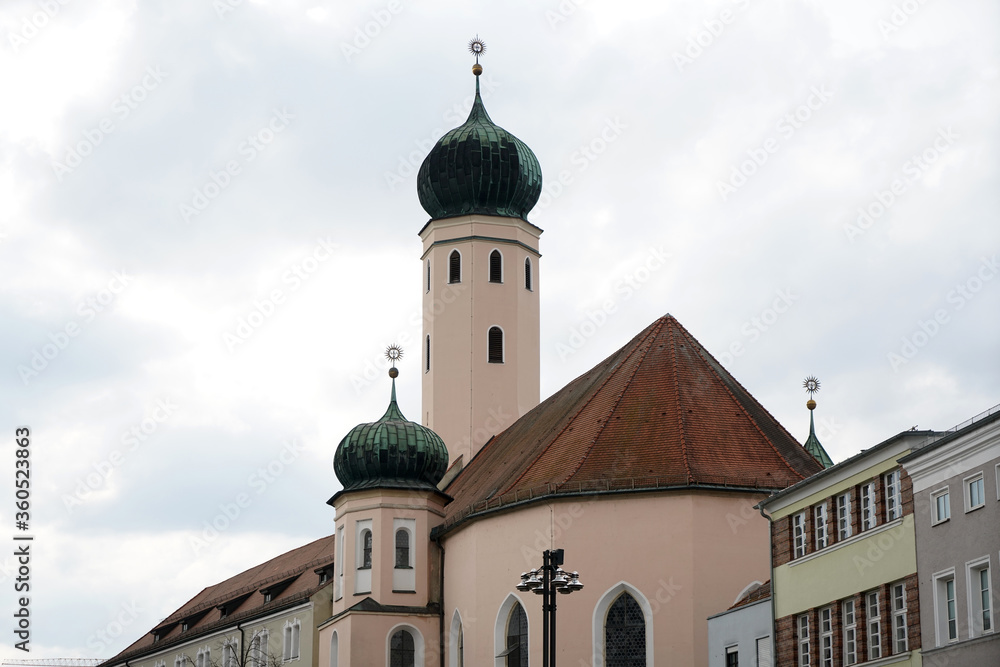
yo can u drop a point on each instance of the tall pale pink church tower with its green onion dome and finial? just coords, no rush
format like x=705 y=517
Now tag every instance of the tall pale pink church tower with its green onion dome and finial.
x=480 y=277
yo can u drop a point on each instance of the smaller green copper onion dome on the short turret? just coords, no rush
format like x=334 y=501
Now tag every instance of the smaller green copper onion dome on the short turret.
x=391 y=452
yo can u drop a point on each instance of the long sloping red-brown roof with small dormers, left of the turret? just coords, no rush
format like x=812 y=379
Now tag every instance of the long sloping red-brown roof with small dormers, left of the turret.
x=292 y=572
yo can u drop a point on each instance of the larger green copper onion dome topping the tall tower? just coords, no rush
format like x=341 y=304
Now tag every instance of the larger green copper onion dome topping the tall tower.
x=479 y=167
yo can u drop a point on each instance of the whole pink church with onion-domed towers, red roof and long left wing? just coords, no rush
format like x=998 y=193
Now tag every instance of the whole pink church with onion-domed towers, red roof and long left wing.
x=644 y=471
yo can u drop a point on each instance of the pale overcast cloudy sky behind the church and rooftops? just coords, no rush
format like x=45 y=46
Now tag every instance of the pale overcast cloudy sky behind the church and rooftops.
x=208 y=235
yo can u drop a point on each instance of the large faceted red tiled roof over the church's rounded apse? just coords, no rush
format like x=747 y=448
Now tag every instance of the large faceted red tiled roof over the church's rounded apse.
x=659 y=412
